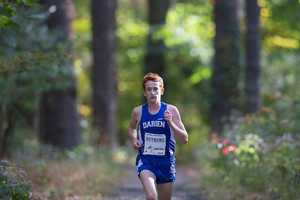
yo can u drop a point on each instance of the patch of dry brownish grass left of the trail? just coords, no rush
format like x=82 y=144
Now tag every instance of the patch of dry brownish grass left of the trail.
x=62 y=179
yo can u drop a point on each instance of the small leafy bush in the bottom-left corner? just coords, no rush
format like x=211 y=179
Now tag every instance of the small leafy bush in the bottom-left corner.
x=14 y=183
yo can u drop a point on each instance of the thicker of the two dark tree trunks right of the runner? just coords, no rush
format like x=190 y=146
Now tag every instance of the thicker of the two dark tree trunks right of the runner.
x=226 y=69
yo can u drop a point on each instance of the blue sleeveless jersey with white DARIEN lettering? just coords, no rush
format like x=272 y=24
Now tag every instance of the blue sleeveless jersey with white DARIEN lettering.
x=155 y=135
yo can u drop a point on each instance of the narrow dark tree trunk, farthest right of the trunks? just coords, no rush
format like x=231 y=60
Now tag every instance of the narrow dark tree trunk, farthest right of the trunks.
x=252 y=88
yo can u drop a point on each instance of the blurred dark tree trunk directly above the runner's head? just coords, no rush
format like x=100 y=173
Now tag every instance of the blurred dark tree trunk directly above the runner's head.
x=155 y=52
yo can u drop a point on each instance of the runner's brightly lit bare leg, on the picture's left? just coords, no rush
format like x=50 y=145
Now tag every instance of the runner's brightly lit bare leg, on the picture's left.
x=148 y=181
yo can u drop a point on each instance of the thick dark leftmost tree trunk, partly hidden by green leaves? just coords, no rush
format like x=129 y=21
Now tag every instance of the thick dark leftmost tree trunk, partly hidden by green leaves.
x=59 y=120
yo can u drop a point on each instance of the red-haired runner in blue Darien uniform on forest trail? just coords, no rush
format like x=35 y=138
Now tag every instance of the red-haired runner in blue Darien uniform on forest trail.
x=153 y=128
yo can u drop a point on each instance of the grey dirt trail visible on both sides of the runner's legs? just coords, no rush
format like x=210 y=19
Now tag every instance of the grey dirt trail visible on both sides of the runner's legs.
x=186 y=186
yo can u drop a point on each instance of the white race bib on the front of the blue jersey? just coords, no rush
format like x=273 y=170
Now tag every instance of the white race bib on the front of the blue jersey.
x=155 y=144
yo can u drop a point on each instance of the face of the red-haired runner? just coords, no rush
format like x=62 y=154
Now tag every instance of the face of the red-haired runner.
x=153 y=91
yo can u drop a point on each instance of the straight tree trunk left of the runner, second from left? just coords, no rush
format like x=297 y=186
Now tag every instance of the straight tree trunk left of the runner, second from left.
x=103 y=73
